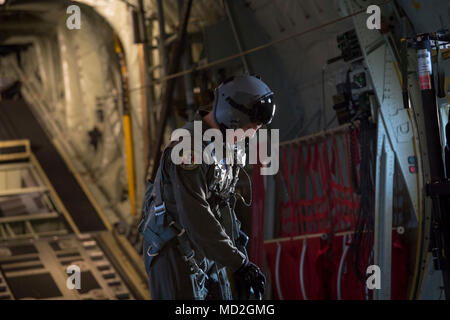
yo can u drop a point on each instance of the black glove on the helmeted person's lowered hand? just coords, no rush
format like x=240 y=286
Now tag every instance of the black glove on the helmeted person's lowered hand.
x=247 y=277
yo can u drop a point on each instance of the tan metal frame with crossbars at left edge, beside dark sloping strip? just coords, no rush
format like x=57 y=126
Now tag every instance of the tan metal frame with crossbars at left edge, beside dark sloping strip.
x=29 y=206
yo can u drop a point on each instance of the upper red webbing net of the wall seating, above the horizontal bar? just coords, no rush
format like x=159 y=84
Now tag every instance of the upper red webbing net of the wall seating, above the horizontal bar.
x=327 y=201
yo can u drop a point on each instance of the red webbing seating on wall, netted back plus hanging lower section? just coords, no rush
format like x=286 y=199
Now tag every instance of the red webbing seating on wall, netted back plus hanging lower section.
x=320 y=199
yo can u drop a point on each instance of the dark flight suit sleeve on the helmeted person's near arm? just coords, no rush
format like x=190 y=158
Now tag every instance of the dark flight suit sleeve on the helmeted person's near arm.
x=189 y=183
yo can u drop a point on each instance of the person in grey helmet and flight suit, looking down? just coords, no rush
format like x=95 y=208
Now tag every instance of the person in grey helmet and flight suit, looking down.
x=192 y=238
